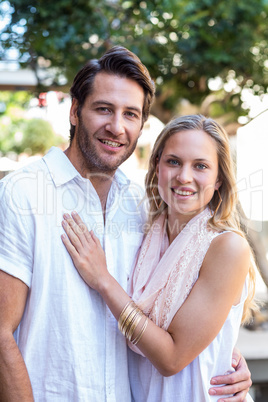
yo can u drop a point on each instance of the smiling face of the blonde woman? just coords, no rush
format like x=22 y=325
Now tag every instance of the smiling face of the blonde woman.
x=188 y=173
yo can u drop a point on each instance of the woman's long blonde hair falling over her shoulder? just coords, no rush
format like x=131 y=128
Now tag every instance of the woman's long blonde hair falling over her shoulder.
x=224 y=202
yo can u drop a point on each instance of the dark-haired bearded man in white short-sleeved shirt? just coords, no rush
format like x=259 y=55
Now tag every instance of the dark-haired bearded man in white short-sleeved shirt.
x=66 y=346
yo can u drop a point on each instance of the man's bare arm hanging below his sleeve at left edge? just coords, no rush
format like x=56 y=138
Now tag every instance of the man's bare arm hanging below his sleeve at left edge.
x=15 y=384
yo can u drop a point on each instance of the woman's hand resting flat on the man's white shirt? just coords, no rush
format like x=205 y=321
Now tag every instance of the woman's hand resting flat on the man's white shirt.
x=85 y=250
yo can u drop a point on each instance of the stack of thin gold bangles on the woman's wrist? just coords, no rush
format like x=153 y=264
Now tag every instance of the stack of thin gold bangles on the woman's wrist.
x=129 y=320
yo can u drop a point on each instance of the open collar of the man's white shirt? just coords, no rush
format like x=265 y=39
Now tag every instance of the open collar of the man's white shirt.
x=62 y=170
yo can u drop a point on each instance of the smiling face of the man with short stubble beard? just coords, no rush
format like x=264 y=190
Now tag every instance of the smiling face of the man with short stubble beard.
x=109 y=124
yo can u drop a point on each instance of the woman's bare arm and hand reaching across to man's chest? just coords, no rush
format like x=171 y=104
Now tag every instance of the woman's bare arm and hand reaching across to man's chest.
x=170 y=351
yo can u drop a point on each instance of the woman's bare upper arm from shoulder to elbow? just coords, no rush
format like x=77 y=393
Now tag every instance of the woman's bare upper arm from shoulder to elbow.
x=218 y=287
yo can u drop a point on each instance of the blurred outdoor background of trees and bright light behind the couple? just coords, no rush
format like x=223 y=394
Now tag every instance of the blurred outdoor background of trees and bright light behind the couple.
x=205 y=56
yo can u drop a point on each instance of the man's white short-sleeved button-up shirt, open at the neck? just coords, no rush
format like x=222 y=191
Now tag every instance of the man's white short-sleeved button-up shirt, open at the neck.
x=68 y=337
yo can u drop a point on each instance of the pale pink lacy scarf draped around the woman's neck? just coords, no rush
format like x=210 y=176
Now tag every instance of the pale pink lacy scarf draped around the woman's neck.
x=165 y=274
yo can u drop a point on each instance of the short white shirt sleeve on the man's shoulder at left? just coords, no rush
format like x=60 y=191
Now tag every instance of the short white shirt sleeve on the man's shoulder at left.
x=16 y=228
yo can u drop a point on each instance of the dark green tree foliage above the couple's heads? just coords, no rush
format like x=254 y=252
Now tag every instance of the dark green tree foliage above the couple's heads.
x=184 y=43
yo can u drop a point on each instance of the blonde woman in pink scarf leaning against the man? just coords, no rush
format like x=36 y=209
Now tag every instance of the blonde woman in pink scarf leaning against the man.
x=194 y=279
